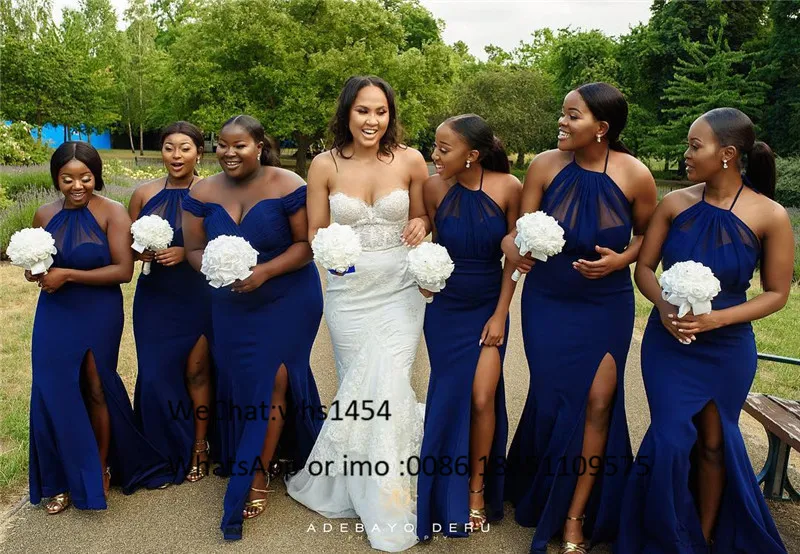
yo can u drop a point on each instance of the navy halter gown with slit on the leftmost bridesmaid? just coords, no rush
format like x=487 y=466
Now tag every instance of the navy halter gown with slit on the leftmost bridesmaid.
x=69 y=323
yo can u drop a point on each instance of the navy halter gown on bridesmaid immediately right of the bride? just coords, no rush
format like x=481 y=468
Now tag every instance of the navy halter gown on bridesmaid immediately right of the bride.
x=471 y=226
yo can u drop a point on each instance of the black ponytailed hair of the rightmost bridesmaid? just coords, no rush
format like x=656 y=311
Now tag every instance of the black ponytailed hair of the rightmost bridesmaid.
x=734 y=128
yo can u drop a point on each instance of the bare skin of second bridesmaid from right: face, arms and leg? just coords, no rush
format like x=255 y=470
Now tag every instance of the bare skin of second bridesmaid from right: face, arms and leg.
x=578 y=133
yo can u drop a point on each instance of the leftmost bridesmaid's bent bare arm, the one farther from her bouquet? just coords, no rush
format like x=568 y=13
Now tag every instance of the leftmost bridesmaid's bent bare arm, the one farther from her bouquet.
x=120 y=270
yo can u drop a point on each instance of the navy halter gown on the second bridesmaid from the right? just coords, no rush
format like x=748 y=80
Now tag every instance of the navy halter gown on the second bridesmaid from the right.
x=569 y=324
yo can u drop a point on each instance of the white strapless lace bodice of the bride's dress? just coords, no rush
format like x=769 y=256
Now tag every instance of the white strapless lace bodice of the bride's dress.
x=380 y=225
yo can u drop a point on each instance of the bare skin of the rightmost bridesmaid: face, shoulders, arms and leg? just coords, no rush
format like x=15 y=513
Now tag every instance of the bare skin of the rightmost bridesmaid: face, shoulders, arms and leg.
x=770 y=223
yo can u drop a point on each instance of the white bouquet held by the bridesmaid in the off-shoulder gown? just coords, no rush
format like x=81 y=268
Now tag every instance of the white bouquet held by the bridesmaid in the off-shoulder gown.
x=226 y=259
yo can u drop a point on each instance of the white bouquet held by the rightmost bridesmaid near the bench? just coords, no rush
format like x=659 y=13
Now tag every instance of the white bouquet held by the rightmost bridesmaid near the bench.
x=690 y=286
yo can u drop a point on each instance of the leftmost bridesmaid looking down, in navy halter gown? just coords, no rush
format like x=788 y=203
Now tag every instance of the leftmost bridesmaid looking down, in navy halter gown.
x=82 y=429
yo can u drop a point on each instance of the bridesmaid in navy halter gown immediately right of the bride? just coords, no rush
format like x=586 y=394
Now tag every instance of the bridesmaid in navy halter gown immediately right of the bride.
x=473 y=202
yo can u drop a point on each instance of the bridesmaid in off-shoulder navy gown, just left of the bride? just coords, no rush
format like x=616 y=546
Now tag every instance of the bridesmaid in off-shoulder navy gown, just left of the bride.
x=264 y=327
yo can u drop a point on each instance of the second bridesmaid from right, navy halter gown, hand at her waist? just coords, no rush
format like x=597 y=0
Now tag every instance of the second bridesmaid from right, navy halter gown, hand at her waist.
x=567 y=460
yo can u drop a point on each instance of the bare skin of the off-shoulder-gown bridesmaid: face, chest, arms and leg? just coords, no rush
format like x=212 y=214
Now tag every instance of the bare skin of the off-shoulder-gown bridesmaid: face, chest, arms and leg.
x=243 y=184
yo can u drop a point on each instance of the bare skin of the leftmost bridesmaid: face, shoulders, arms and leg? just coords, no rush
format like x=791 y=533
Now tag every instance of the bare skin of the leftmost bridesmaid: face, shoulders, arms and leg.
x=77 y=184
